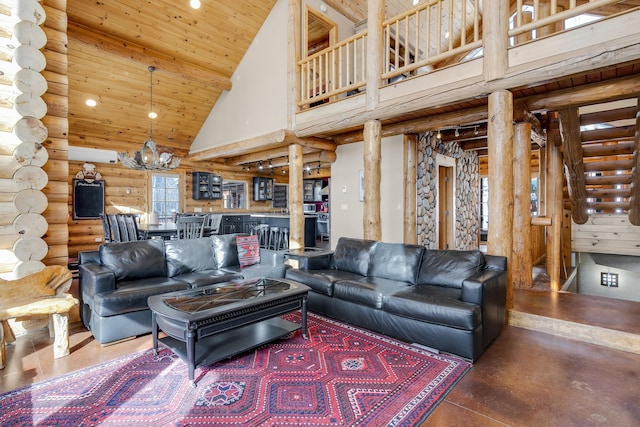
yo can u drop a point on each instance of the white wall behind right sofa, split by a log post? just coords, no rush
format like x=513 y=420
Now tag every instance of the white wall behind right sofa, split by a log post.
x=346 y=207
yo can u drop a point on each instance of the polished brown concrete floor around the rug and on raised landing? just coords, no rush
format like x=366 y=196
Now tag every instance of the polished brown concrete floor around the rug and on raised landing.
x=525 y=378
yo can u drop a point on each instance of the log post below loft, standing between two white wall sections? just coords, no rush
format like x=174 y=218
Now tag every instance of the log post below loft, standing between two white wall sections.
x=372 y=156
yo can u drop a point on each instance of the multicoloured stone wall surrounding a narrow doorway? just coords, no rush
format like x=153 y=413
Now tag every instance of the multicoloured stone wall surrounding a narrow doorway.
x=466 y=198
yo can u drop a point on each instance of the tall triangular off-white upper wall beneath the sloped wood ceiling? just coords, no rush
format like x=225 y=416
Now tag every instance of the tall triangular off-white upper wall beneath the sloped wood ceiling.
x=257 y=103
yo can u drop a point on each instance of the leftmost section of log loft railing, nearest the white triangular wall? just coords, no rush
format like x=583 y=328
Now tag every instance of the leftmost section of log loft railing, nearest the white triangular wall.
x=332 y=71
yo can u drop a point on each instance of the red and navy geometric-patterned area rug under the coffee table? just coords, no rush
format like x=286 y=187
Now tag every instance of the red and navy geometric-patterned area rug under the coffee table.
x=340 y=376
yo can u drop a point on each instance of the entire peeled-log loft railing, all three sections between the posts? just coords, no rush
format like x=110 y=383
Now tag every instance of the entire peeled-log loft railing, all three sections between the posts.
x=438 y=32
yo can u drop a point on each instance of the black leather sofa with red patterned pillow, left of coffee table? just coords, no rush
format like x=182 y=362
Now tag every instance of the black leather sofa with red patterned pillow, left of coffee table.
x=116 y=280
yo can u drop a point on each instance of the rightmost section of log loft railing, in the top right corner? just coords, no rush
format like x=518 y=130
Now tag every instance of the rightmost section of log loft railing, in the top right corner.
x=542 y=14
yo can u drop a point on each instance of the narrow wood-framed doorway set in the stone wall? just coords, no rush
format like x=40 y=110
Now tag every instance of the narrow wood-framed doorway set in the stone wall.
x=446 y=202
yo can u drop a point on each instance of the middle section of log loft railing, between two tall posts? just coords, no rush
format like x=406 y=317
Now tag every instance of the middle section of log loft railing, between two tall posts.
x=433 y=31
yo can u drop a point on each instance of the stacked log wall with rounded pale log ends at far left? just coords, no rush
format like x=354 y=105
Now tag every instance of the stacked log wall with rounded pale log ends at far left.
x=34 y=137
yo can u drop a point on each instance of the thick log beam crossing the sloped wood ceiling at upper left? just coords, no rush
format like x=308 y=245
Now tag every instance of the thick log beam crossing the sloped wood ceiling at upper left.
x=141 y=55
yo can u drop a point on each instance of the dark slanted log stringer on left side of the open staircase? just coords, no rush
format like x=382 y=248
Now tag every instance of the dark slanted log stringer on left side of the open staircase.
x=573 y=162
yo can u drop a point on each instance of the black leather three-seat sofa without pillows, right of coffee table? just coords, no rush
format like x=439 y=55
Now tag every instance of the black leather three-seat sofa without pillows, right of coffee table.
x=452 y=301
